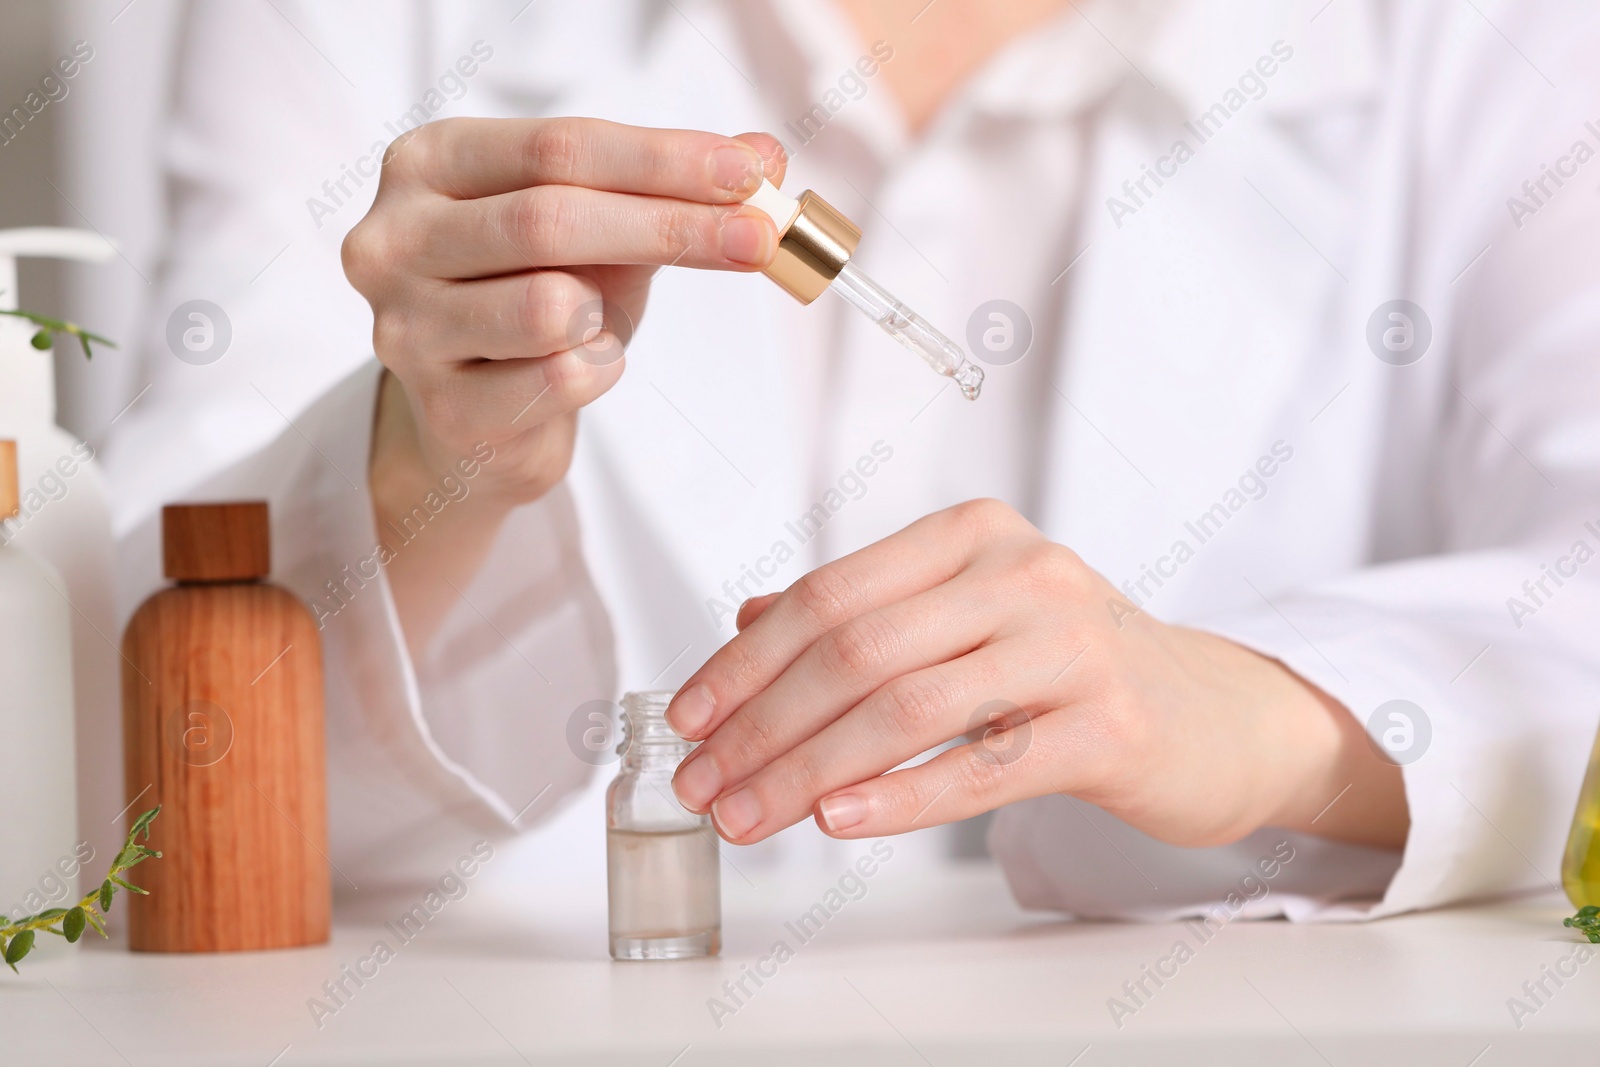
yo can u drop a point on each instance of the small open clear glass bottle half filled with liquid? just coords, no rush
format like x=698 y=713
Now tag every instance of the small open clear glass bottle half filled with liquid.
x=662 y=860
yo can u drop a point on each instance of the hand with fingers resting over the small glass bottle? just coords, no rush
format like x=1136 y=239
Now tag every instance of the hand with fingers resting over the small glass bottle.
x=972 y=623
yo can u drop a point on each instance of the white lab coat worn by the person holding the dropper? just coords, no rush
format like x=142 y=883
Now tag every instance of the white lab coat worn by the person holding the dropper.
x=1218 y=324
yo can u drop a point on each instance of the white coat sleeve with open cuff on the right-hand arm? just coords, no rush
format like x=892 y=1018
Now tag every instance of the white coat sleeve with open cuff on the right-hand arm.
x=1468 y=644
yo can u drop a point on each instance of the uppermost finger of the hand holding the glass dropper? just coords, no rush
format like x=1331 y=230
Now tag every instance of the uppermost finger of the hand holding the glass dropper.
x=484 y=158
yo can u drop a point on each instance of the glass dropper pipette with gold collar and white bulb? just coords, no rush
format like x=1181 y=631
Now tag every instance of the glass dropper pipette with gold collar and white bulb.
x=814 y=255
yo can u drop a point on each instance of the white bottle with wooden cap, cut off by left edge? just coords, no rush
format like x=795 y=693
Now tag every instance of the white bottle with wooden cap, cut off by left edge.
x=39 y=853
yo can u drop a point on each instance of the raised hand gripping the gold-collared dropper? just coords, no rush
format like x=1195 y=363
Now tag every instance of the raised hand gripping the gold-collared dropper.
x=489 y=255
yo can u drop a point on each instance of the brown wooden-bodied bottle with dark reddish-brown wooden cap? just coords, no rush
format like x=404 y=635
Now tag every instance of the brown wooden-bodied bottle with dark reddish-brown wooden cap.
x=223 y=729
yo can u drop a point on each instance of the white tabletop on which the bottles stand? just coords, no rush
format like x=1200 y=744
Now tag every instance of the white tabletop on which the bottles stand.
x=918 y=972
